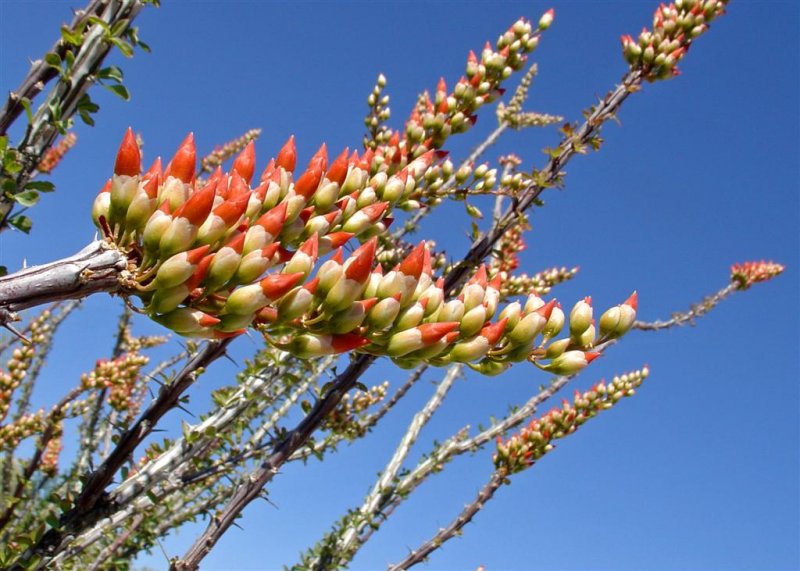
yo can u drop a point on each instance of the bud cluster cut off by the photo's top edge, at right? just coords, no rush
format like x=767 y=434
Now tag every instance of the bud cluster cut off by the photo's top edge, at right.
x=675 y=26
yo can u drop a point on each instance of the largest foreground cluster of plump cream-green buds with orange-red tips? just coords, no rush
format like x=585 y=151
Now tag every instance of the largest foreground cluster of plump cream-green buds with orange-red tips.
x=202 y=260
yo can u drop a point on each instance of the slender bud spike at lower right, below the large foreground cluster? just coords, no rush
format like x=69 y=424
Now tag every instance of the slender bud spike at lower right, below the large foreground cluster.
x=522 y=450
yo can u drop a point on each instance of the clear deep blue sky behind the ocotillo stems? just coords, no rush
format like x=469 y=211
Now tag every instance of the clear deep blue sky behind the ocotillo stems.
x=700 y=470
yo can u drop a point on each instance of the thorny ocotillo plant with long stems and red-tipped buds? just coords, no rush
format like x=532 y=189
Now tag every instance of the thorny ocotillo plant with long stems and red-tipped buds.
x=313 y=258
